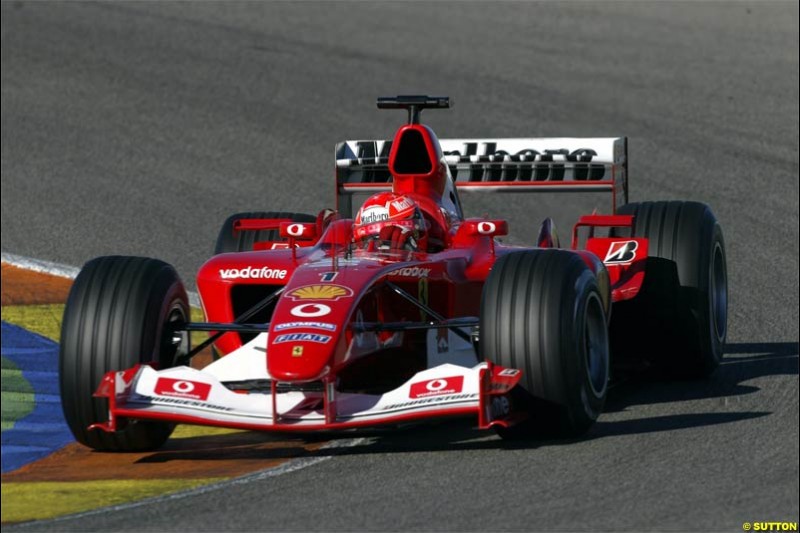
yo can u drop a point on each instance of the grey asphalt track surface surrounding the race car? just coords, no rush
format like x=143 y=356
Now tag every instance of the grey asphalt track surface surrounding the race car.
x=136 y=128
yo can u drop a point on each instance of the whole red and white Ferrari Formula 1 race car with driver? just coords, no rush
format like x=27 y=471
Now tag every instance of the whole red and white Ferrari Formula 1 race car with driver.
x=405 y=310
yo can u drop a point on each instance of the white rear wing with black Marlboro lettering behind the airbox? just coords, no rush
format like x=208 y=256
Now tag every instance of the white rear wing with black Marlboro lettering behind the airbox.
x=497 y=165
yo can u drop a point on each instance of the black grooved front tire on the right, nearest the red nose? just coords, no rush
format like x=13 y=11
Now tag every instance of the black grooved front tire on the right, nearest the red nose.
x=542 y=313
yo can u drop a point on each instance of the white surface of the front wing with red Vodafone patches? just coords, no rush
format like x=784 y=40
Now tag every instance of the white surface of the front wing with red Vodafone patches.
x=186 y=392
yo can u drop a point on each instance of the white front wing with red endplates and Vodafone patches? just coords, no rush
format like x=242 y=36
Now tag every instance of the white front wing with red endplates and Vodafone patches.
x=187 y=395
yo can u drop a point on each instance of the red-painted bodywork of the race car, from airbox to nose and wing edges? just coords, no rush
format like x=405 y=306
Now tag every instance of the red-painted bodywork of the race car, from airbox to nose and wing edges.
x=330 y=291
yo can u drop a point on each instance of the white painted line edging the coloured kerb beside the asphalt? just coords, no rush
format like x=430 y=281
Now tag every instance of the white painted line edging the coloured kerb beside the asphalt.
x=67 y=271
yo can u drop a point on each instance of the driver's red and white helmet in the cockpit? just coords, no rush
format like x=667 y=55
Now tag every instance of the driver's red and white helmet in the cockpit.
x=389 y=221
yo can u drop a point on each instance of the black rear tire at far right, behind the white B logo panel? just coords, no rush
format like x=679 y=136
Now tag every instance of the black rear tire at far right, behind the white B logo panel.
x=680 y=315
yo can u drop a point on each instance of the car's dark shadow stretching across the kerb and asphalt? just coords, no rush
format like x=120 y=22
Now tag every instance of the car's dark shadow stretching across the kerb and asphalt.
x=743 y=363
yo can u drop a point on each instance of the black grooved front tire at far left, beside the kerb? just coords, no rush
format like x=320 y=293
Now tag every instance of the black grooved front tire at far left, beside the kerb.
x=116 y=317
